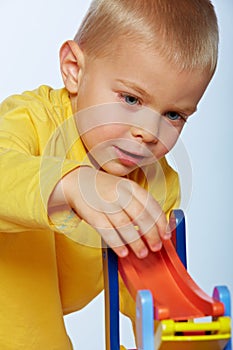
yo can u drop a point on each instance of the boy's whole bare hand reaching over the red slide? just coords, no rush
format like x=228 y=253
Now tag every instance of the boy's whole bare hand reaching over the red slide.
x=118 y=208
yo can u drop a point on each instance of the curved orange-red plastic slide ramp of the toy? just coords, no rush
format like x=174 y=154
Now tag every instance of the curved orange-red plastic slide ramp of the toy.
x=175 y=294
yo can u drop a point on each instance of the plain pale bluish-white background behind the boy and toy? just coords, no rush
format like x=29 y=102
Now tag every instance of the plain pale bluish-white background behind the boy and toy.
x=31 y=33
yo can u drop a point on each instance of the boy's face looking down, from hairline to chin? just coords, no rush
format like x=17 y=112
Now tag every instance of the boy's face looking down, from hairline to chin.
x=146 y=104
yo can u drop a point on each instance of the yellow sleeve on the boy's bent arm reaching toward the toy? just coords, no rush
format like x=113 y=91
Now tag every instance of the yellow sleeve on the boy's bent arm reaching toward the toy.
x=28 y=173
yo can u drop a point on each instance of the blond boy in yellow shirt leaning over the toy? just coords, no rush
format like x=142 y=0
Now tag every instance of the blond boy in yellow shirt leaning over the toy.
x=132 y=76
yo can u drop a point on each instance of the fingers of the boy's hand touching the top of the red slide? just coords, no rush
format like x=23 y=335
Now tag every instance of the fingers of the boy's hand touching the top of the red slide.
x=135 y=225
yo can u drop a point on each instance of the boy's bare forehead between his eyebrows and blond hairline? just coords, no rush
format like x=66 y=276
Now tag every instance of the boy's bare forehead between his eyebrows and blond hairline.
x=142 y=68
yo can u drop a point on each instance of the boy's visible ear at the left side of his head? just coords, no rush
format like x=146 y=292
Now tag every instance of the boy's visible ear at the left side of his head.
x=71 y=65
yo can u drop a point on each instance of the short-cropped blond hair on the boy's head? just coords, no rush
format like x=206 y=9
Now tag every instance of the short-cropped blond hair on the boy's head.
x=185 y=32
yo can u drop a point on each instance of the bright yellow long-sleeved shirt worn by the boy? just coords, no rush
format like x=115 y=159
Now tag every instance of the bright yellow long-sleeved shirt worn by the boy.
x=48 y=269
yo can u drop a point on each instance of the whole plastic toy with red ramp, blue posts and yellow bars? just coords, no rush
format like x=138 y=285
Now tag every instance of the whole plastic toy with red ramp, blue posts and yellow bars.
x=168 y=301
